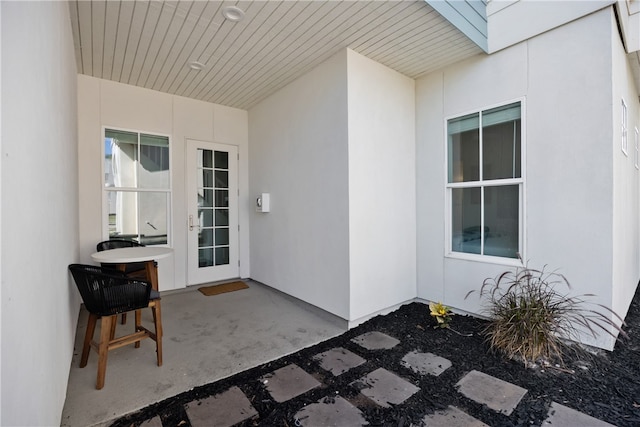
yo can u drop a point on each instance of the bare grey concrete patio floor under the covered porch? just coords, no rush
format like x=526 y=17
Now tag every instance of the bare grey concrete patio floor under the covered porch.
x=206 y=338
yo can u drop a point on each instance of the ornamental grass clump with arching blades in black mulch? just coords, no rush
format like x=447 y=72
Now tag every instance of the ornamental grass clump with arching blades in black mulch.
x=532 y=319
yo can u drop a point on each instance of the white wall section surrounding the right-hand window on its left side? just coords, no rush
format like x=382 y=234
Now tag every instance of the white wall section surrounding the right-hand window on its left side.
x=473 y=84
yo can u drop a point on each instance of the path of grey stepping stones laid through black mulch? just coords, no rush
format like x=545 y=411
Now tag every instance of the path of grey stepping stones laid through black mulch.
x=378 y=386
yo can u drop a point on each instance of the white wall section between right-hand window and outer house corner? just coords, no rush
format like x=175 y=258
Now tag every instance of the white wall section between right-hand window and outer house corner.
x=580 y=225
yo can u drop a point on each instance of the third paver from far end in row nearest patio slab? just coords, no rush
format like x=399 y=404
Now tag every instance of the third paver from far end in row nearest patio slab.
x=288 y=382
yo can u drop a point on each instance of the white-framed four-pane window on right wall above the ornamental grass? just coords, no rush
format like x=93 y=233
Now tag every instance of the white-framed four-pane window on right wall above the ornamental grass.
x=484 y=185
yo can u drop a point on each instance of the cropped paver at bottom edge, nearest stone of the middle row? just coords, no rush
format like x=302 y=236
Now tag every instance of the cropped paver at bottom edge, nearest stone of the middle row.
x=330 y=411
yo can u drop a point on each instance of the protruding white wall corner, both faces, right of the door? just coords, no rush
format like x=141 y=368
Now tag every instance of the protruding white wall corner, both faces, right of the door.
x=335 y=149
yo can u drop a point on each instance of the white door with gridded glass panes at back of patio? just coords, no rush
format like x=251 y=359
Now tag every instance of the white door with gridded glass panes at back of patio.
x=212 y=197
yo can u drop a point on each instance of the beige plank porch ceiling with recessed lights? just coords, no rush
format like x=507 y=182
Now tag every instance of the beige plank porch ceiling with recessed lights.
x=151 y=43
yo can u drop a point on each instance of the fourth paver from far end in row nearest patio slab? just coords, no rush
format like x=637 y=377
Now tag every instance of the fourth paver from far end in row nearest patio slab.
x=222 y=410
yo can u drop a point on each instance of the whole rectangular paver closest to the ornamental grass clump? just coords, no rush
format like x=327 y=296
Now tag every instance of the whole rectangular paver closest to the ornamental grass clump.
x=497 y=394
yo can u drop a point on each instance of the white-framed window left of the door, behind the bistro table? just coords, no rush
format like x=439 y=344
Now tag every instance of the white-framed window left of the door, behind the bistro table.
x=137 y=186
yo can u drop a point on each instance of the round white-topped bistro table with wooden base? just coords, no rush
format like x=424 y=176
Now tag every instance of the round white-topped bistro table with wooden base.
x=146 y=254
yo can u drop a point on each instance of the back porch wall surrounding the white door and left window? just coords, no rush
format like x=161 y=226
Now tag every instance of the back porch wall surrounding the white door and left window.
x=104 y=103
